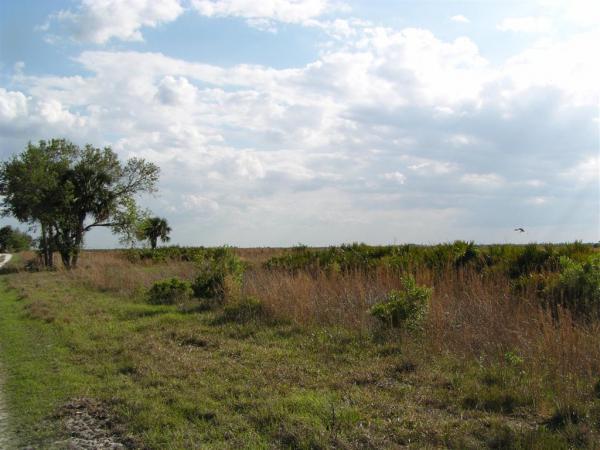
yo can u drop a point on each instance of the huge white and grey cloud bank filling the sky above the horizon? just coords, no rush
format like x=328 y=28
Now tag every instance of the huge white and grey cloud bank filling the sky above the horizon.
x=390 y=126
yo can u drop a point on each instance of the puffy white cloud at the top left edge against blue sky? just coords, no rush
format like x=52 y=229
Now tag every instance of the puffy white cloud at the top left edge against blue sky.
x=98 y=21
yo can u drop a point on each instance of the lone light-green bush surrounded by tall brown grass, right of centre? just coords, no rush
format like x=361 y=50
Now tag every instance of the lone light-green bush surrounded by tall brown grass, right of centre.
x=406 y=308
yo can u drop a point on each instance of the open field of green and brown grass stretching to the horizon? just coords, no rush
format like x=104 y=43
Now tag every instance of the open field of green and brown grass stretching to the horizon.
x=287 y=354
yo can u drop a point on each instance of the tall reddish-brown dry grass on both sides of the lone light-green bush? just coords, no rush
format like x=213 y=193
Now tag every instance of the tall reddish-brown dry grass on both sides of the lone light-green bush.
x=470 y=316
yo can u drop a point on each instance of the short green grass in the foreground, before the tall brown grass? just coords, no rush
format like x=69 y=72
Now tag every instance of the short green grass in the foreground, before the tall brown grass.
x=189 y=380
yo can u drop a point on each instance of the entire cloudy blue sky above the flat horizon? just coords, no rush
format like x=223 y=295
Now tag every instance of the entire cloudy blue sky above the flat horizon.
x=321 y=122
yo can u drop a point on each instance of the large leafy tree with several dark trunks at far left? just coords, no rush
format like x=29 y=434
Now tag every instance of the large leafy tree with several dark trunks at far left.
x=68 y=190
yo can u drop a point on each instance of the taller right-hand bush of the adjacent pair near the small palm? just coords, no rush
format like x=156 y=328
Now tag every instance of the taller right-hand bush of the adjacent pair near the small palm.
x=220 y=274
